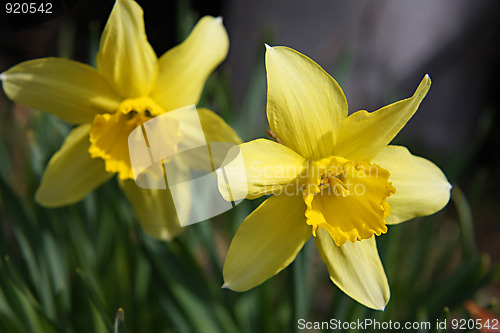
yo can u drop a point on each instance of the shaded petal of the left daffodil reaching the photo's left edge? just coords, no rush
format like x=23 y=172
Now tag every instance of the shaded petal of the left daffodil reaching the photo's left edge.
x=68 y=89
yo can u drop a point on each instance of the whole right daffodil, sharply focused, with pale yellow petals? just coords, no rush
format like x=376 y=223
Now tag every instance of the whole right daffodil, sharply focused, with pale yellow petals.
x=332 y=176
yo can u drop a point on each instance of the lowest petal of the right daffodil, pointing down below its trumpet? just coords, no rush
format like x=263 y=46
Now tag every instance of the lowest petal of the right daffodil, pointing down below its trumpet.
x=356 y=269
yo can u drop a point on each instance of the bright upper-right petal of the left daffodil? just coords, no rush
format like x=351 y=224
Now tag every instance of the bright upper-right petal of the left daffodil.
x=185 y=68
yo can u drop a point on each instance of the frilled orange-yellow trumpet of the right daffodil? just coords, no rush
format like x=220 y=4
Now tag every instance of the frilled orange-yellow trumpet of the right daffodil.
x=347 y=198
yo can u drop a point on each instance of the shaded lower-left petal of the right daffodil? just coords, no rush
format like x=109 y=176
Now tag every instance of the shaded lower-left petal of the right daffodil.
x=266 y=242
